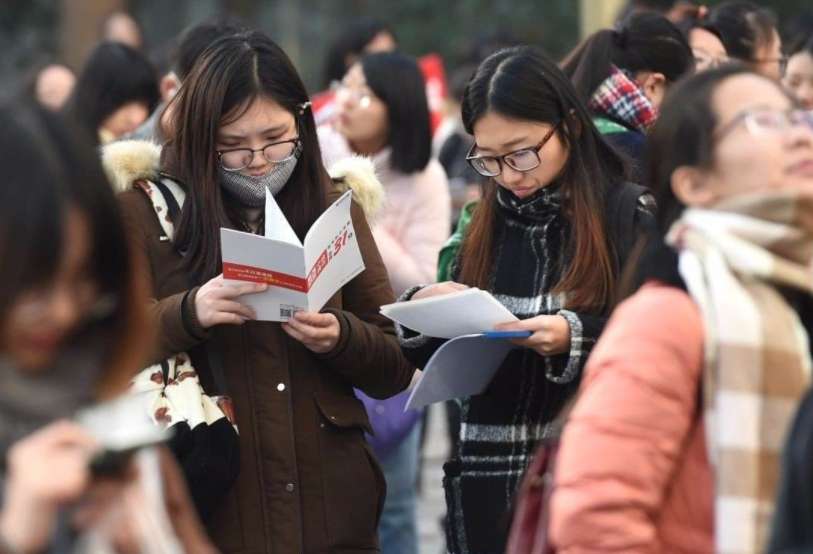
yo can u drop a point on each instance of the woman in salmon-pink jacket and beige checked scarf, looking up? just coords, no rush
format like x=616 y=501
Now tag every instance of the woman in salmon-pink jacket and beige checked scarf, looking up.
x=674 y=443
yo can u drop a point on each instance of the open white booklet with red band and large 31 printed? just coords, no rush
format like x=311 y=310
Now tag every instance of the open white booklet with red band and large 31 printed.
x=302 y=277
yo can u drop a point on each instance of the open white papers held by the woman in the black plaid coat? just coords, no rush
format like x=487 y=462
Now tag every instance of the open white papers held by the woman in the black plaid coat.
x=465 y=365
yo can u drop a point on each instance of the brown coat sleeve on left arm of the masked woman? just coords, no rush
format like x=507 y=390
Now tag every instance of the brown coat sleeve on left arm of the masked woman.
x=166 y=316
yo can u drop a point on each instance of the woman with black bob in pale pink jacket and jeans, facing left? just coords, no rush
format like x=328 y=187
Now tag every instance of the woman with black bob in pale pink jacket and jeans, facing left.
x=382 y=112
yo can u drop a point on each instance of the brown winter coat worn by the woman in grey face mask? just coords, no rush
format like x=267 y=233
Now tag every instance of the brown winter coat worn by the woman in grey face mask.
x=308 y=481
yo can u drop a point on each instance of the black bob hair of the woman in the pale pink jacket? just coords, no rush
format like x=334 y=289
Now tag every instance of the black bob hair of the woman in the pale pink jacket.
x=397 y=80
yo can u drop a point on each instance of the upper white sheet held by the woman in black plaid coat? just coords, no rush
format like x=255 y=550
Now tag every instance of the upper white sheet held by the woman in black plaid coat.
x=467 y=312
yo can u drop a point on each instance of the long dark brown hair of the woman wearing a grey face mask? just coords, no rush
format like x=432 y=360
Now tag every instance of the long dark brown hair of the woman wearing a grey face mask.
x=231 y=74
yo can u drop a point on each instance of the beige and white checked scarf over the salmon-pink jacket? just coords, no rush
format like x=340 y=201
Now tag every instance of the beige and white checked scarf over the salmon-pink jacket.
x=734 y=259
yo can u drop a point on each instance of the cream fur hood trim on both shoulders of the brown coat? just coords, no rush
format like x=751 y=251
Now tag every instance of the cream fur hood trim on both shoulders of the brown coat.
x=128 y=161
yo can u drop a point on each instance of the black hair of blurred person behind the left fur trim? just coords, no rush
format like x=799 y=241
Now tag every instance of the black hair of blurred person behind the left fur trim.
x=113 y=76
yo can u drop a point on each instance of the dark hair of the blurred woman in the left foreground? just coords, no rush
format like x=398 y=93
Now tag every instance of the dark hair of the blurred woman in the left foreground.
x=49 y=170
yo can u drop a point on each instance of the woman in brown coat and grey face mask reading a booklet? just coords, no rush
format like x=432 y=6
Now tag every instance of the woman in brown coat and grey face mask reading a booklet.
x=243 y=126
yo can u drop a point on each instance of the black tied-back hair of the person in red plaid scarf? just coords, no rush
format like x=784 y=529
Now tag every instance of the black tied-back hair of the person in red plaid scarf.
x=646 y=42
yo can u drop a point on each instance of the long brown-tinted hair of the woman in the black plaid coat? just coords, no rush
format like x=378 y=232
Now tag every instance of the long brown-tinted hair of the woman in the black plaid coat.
x=523 y=84
